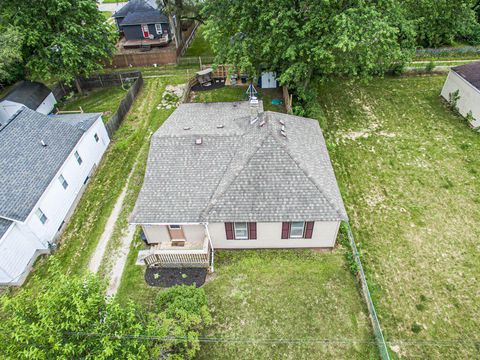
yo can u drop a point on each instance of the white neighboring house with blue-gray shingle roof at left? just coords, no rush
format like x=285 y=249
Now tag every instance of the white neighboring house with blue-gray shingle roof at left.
x=45 y=162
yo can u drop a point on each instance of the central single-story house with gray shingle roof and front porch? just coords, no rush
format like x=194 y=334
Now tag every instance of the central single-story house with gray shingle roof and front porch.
x=232 y=176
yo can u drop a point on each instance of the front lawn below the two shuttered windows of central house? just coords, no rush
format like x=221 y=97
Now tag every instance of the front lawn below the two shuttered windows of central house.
x=285 y=304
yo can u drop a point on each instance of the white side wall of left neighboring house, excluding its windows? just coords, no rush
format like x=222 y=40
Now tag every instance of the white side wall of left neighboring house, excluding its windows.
x=56 y=201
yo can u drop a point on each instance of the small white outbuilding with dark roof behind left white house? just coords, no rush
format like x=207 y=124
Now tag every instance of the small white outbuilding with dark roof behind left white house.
x=34 y=95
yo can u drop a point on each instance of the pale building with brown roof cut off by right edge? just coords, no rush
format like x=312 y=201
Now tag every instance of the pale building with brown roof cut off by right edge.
x=466 y=80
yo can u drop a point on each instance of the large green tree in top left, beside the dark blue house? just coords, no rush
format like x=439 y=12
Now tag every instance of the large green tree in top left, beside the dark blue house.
x=62 y=39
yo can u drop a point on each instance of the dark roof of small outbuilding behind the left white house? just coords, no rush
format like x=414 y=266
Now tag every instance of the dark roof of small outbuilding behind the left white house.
x=31 y=94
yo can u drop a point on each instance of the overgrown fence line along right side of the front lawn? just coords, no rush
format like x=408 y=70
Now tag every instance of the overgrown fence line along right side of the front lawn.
x=357 y=268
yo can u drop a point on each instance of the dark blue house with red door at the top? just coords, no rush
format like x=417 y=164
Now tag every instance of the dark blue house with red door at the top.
x=142 y=19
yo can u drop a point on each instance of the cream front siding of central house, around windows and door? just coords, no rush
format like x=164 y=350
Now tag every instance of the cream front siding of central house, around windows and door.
x=268 y=236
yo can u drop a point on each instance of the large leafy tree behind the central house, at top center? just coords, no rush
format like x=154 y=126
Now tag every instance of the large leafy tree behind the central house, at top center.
x=308 y=38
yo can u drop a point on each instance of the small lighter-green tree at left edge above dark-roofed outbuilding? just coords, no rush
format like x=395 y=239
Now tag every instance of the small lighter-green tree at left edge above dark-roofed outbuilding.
x=10 y=53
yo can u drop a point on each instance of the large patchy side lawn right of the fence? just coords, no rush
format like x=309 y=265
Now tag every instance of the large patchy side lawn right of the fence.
x=409 y=170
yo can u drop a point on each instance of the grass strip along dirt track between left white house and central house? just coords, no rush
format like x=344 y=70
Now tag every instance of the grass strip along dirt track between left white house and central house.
x=84 y=229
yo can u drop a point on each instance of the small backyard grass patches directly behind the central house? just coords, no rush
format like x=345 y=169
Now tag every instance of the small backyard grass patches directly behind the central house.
x=237 y=93
